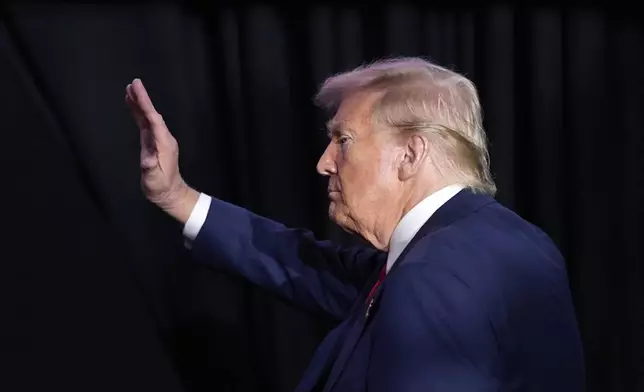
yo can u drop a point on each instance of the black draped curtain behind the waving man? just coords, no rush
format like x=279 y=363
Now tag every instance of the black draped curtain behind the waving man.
x=98 y=292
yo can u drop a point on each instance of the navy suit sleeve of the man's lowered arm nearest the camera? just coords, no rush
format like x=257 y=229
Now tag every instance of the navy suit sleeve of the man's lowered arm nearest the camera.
x=432 y=334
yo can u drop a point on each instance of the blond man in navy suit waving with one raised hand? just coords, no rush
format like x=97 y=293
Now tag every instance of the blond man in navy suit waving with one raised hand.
x=460 y=294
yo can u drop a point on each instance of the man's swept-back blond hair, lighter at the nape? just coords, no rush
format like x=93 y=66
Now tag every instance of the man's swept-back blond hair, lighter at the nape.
x=418 y=96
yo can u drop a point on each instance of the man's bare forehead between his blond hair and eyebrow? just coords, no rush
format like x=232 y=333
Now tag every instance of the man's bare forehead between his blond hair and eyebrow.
x=353 y=114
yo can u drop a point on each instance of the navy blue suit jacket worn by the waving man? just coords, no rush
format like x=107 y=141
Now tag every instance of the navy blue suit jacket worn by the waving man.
x=479 y=300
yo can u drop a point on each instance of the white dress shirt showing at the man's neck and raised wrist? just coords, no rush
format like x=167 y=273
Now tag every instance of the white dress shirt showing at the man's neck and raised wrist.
x=402 y=235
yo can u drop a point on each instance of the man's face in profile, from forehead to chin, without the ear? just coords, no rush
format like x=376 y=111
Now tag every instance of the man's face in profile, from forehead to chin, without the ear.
x=362 y=165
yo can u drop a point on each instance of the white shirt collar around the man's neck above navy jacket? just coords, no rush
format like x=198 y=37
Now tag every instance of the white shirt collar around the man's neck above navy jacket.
x=411 y=223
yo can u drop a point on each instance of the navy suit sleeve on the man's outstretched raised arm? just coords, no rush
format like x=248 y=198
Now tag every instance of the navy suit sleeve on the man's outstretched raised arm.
x=289 y=262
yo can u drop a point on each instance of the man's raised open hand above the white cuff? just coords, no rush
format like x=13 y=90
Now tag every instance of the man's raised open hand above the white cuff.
x=161 y=180
